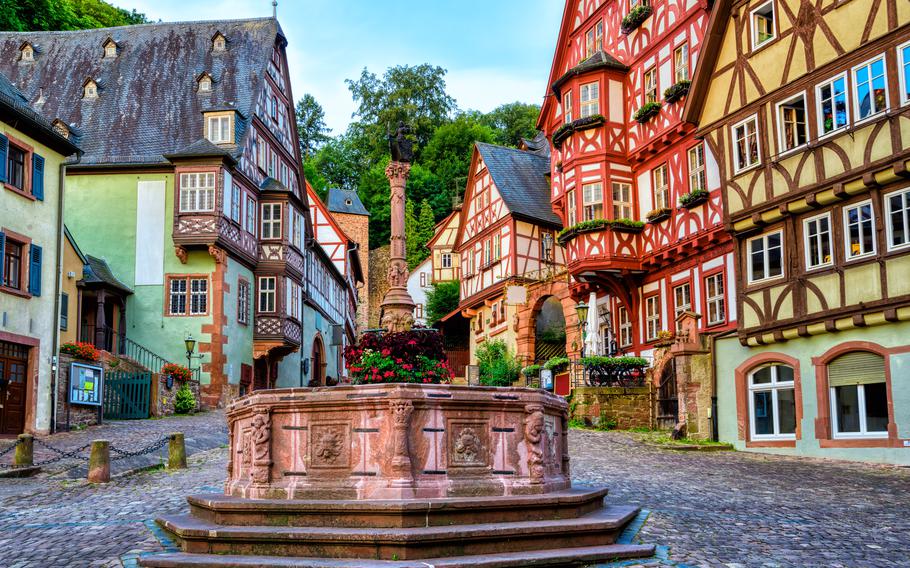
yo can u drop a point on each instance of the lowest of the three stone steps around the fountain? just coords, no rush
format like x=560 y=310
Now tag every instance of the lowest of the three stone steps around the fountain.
x=576 y=556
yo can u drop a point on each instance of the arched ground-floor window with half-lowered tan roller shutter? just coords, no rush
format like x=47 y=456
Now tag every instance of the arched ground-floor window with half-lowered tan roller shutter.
x=859 y=395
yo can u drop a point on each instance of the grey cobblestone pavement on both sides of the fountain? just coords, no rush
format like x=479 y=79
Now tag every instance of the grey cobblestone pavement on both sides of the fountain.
x=705 y=509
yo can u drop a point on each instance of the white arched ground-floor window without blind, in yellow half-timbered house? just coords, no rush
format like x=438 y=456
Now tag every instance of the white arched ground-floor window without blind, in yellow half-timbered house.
x=772 y=403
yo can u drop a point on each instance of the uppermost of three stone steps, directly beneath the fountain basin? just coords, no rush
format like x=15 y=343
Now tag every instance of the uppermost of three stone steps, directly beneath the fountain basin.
x=234 y=511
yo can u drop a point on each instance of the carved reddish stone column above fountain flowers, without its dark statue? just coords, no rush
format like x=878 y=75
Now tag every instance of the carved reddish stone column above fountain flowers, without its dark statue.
x=397 y=305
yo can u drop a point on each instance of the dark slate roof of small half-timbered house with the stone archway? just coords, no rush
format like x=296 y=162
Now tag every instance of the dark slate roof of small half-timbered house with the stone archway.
x=521 y=178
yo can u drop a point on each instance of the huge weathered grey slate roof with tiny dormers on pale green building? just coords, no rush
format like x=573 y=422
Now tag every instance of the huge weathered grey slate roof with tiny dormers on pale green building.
x=148 y=105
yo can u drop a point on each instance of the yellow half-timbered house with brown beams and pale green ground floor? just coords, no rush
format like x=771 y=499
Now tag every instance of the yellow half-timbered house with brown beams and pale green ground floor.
x=807 y=107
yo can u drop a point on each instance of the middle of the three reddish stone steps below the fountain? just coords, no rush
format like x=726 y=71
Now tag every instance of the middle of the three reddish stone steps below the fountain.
x=597 y=528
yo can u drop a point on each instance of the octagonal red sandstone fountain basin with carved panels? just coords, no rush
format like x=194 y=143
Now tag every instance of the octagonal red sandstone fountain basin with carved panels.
x=397 y=441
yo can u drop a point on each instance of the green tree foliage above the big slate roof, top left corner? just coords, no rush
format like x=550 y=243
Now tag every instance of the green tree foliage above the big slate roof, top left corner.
x=49 y=15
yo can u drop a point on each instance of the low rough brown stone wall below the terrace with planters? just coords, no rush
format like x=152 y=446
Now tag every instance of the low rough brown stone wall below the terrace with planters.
x=628 y=407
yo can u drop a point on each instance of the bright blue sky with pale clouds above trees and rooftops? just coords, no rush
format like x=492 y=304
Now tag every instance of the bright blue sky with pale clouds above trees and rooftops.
x=495 y=51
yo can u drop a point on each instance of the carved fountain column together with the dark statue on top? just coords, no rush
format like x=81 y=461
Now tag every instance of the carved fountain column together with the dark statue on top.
x=397 y=305
